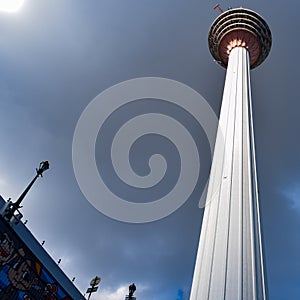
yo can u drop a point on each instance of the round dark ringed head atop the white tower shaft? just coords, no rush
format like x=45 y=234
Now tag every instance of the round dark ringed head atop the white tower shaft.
x=240 y=27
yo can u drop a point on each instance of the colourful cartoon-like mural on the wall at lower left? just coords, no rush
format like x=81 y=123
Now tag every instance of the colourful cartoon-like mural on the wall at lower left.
x=22 y=276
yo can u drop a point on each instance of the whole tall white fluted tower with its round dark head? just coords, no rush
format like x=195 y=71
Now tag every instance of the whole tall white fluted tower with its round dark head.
x=229 y=263
